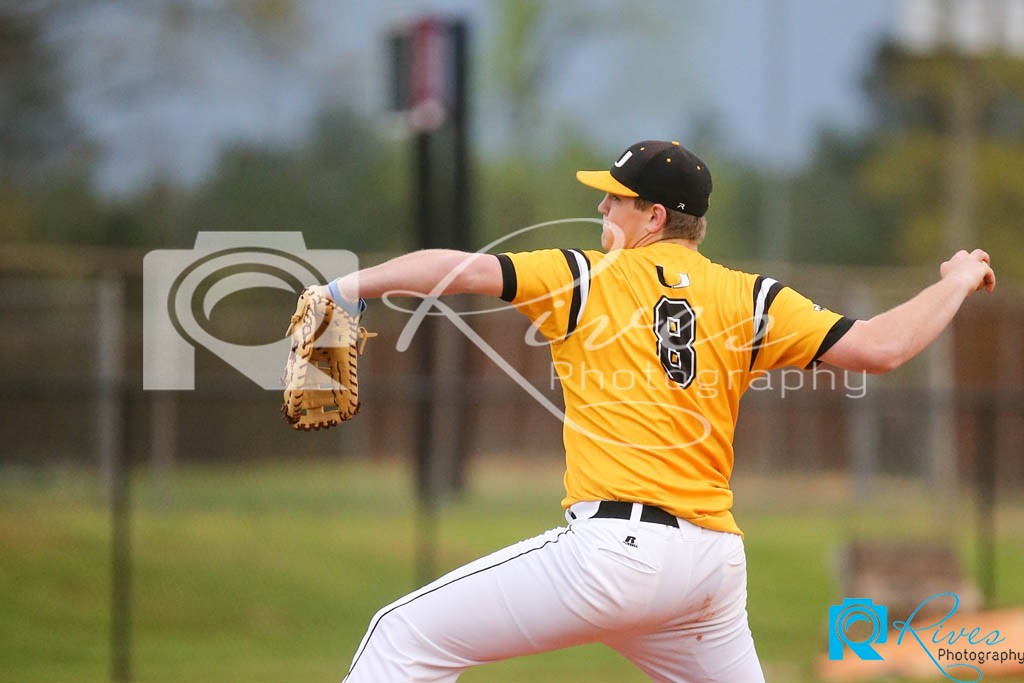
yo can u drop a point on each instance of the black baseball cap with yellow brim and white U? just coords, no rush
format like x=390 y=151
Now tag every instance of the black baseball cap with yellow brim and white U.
x=659 y=172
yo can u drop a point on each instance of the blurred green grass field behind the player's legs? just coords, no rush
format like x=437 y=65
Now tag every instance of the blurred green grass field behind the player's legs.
x=271 y=575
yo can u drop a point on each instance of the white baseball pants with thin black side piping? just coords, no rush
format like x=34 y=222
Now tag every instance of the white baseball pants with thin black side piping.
x=673 y=602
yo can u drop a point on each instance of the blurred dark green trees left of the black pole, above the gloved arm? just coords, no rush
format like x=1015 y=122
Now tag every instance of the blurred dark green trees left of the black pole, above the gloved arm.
x=346 y=188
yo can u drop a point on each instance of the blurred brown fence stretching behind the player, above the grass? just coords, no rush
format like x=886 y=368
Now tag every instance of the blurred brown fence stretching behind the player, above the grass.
x=68 y=339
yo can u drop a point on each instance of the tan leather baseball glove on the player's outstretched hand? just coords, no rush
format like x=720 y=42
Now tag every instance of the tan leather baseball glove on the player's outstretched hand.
x=322 y=388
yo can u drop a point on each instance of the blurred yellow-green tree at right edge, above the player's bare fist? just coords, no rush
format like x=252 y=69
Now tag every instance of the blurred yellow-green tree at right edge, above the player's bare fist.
x=950 y=152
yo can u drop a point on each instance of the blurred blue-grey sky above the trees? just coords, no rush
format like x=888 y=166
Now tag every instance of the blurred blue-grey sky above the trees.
x=770 y=74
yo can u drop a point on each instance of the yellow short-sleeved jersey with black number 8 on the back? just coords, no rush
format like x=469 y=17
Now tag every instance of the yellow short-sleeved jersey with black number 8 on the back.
x=654 y=348
